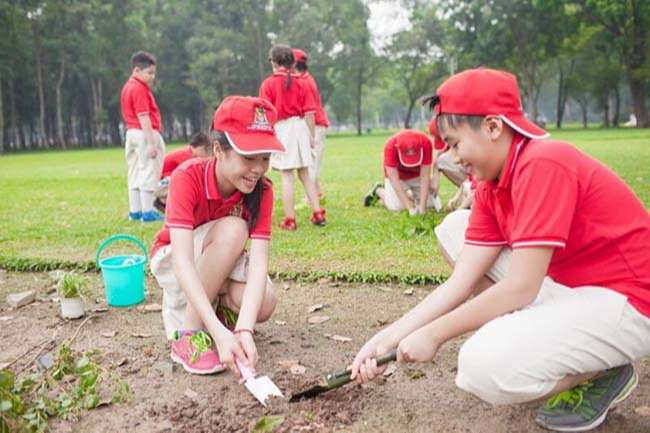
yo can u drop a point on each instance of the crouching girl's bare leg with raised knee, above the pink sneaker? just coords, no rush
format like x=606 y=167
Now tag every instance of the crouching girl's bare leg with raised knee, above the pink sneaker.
x=222 y=246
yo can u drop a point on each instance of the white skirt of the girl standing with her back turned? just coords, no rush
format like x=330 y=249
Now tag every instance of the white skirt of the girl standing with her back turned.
x=293 y=133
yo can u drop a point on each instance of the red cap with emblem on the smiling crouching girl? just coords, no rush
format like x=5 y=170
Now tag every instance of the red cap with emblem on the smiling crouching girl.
x=248 y=123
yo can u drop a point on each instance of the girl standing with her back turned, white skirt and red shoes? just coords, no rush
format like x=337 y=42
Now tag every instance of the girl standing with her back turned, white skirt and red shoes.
x=295 y=106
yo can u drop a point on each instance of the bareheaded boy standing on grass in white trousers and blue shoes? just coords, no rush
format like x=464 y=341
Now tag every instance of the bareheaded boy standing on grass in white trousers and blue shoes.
x=144 y=146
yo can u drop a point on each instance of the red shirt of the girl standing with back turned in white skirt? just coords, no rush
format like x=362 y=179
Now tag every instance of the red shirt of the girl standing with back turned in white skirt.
x=297 y=100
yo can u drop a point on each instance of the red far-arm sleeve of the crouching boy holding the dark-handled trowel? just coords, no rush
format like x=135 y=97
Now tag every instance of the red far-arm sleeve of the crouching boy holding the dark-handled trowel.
x=483 y=229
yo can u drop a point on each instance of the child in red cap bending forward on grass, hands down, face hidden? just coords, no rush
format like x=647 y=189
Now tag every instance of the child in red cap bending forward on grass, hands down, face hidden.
x=408 y=158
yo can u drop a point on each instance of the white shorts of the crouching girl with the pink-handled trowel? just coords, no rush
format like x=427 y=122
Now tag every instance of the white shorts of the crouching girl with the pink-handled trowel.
x=174 y=299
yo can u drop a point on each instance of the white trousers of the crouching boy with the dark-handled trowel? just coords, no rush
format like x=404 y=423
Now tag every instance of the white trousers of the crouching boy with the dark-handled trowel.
x=521 y=356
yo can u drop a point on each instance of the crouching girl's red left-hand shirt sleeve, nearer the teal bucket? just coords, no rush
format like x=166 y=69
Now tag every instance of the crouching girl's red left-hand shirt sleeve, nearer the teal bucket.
x=181 y=200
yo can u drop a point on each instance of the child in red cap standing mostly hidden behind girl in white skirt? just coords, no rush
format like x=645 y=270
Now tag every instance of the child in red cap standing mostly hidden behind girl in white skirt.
x=320 y=117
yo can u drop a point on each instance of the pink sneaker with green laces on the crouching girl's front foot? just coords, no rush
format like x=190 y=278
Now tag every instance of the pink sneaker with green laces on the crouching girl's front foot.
x=193 y=350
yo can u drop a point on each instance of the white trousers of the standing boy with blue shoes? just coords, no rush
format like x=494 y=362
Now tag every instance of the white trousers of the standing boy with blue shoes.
x=143 y=172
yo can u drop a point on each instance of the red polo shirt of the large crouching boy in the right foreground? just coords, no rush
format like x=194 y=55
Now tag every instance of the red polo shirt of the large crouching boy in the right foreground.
x=550 y=194
